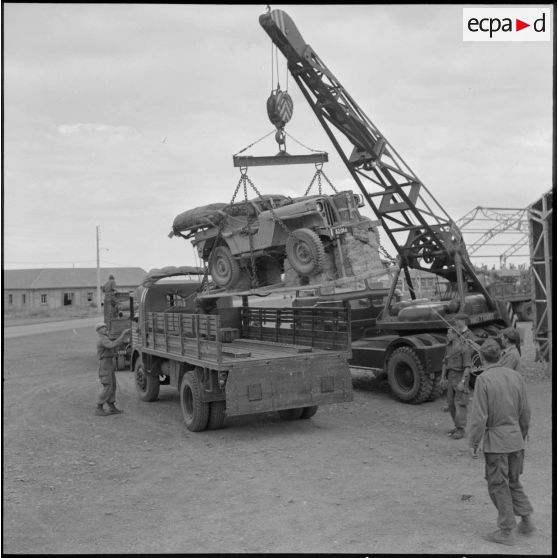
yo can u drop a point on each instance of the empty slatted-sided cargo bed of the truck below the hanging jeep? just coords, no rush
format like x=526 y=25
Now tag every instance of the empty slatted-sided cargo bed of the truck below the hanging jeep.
x=260 y=334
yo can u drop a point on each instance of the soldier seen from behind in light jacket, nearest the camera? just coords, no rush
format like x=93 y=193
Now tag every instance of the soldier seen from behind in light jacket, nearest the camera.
x=500 y=415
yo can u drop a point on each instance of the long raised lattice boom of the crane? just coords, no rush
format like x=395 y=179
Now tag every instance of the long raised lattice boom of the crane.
x=421 y=231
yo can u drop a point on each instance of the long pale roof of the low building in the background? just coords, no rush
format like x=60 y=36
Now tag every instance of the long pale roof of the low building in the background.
x=69 y=277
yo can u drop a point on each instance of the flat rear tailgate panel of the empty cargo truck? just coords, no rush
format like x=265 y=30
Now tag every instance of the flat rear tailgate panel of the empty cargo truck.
x=286 y=383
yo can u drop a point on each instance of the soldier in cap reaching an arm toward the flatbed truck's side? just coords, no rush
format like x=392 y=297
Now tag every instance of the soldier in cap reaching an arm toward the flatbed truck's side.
x=107 y=376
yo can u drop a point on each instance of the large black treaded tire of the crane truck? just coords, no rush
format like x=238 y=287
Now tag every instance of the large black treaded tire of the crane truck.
x=406 y=376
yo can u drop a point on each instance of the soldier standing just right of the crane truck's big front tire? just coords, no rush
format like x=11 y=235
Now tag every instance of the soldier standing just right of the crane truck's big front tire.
x=456 y=368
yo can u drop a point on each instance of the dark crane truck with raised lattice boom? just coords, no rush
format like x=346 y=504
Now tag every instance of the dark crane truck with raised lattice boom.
x=404 y=341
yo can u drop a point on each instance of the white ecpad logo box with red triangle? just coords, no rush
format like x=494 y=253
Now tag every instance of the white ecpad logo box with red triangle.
x=506 y=24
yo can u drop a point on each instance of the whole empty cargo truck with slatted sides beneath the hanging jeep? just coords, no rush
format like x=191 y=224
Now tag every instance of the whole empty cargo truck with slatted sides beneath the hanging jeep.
x=240 y=360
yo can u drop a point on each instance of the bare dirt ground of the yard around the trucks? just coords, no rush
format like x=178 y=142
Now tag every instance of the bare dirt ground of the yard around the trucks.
x=371 y=476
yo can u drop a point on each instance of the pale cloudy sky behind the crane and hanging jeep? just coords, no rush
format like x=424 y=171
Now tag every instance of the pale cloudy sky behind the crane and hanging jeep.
x=122 y=116
